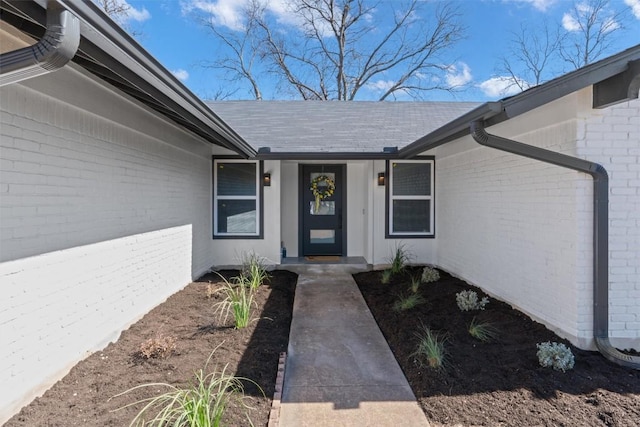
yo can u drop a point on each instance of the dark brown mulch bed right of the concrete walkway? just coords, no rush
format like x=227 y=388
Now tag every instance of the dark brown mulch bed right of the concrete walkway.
x=499 y=383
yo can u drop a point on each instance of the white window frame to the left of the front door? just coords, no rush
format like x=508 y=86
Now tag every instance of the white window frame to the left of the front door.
x=257 y=198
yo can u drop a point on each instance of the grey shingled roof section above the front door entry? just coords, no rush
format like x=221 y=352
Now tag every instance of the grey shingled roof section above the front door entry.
x=335 y=126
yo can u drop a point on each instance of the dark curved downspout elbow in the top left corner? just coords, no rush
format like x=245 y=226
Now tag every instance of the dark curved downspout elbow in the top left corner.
x=58 y=45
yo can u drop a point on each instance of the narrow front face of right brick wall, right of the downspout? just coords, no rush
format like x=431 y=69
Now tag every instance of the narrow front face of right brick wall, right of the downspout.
x=611 y=137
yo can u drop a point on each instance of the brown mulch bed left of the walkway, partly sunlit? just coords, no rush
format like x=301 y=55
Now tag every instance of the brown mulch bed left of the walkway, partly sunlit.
x=82 y=398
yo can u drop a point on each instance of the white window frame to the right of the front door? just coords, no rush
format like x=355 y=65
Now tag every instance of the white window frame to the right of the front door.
x=391 y=197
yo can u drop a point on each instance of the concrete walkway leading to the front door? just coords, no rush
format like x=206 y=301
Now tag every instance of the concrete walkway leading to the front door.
x=339 y=369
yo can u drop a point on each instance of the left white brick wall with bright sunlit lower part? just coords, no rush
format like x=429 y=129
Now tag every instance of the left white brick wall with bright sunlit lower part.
x=101 y=219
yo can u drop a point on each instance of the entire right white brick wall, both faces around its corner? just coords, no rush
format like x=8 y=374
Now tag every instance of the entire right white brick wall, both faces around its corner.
x=522 y=230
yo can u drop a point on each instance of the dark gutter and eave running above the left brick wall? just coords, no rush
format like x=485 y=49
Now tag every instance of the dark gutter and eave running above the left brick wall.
x=132 y=69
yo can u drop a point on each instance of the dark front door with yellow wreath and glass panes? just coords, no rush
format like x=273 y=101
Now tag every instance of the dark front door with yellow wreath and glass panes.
x=322 y=211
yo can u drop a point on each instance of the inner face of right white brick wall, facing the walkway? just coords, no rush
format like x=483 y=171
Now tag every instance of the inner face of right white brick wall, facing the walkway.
x=511 y=225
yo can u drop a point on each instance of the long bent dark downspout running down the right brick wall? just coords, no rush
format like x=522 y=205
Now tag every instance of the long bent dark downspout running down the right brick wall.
x=600 y=231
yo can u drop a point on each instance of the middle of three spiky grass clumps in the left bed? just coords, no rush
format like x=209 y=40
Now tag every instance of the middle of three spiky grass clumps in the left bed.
x=238 y=300
